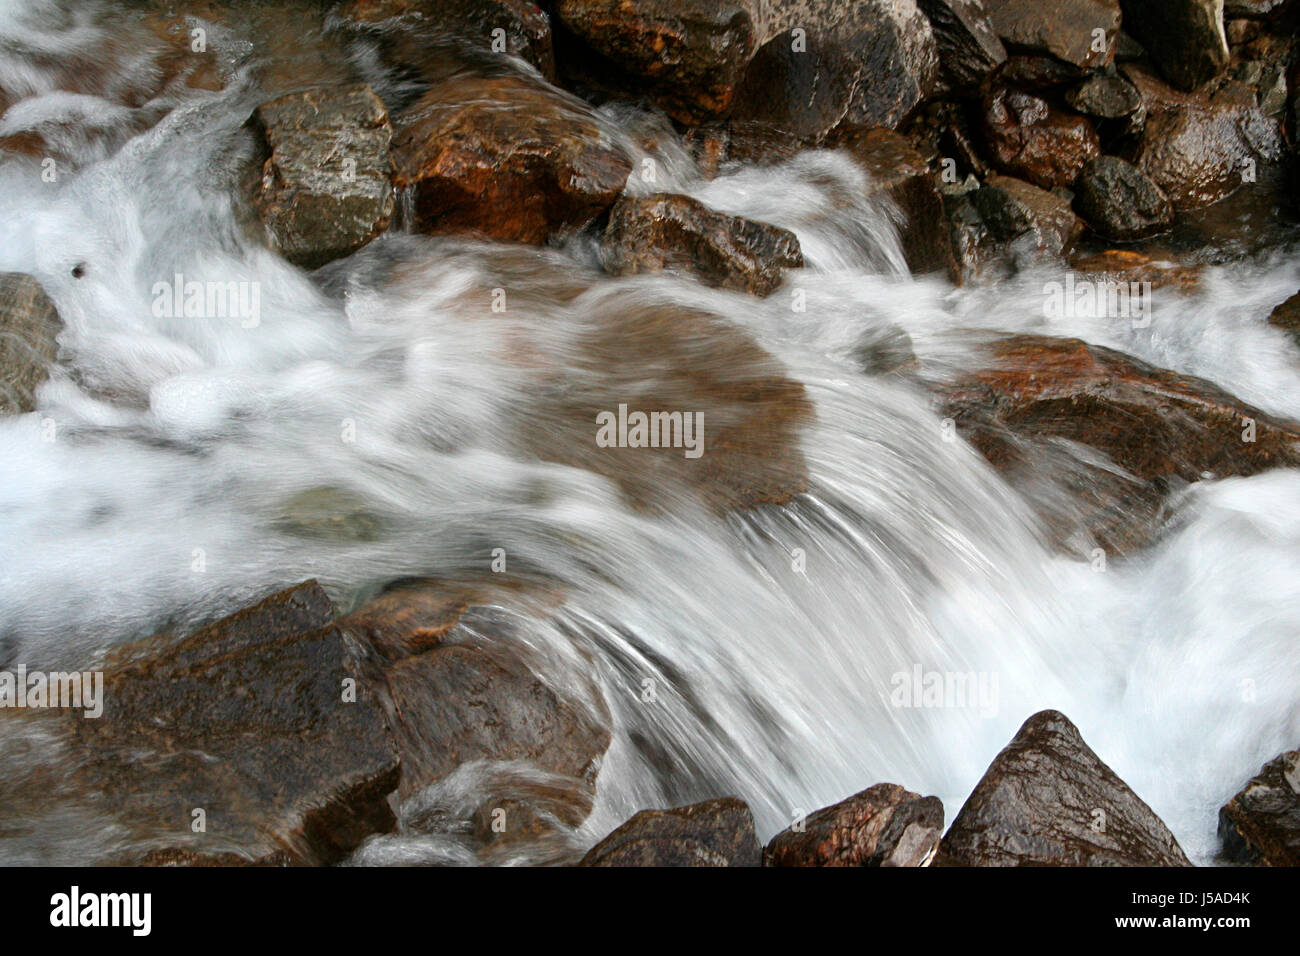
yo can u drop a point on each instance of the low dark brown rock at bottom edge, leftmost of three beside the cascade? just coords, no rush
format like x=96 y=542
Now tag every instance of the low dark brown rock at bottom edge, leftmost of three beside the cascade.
x=717 y=833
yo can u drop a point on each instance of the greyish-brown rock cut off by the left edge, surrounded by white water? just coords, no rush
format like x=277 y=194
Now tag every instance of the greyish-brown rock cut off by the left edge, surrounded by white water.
x=29 y=327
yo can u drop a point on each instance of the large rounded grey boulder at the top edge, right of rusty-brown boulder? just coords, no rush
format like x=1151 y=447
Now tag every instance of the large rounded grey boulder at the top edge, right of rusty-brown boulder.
x=834 y=67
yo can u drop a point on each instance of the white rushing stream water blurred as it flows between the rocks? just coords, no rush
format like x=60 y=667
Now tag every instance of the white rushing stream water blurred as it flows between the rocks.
x=773 y=638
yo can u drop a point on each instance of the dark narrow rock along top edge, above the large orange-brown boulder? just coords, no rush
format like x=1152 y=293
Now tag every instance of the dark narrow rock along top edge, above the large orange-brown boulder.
x=517 y=28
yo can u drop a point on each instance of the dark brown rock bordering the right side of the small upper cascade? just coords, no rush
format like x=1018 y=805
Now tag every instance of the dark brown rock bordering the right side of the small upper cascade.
x=903 y=174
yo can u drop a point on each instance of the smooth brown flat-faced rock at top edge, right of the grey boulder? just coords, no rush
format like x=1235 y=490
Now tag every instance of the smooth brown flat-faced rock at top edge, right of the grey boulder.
x=1064 y=29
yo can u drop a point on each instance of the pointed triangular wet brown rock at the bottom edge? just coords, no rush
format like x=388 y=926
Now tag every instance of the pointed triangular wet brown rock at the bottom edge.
x=1048 y=801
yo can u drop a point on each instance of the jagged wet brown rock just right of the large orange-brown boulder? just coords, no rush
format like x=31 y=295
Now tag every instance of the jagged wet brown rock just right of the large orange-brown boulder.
x=679 y=233
